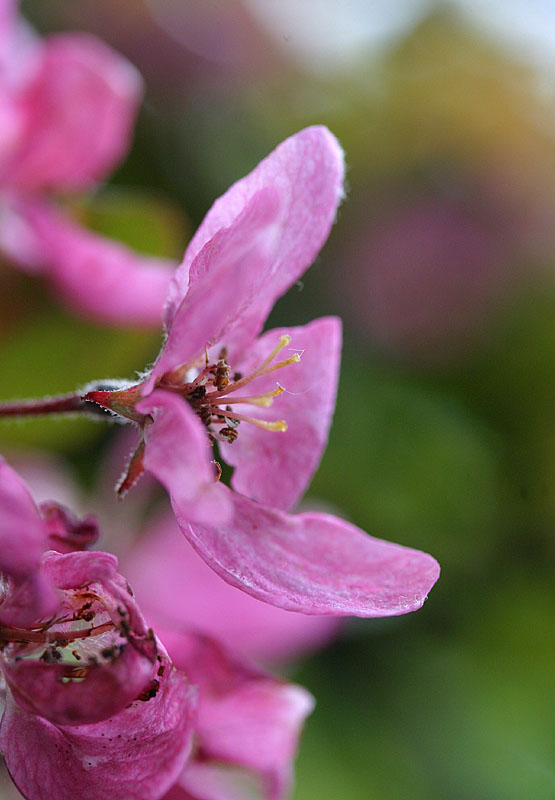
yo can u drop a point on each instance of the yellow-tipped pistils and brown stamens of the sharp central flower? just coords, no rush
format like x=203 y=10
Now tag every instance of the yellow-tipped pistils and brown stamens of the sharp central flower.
x=212 y=394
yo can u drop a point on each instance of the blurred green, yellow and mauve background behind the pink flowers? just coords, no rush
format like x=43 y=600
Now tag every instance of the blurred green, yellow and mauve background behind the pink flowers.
x=442 y=267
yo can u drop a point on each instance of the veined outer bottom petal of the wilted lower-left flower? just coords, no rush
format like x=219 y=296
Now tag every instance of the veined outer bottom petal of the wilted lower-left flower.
x=136 y=755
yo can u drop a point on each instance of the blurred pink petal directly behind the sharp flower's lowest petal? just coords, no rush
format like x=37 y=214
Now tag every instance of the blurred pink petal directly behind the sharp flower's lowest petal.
x=176 y=589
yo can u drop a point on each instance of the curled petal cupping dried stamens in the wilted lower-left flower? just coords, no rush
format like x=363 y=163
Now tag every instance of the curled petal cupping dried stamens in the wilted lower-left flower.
x=95 y=658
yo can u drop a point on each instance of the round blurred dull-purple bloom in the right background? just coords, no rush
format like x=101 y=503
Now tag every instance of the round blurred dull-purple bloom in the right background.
x=428 y=276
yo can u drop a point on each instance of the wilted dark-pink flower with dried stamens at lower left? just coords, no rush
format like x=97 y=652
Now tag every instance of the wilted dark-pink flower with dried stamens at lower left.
x=94 y=706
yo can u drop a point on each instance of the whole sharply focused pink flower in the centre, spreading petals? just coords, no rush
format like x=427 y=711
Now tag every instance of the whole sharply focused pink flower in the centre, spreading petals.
x=215 y=379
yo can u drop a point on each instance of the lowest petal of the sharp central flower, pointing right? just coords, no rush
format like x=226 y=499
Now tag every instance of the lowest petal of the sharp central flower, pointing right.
x=315 y=563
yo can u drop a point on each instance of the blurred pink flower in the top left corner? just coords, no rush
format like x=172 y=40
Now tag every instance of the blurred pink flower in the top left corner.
x=67 y=108
